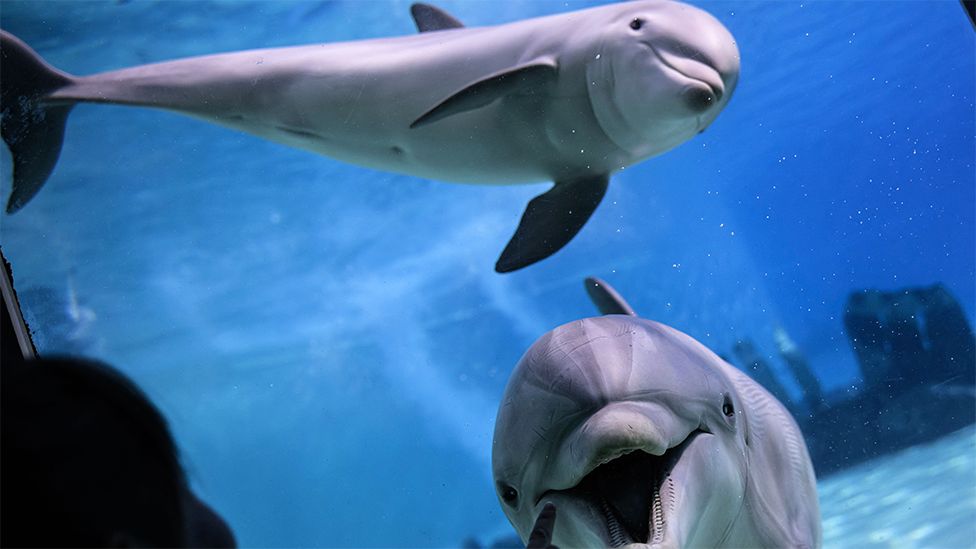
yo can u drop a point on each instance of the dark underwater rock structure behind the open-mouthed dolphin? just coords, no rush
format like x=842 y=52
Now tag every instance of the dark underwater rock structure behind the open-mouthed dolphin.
x=917 y=357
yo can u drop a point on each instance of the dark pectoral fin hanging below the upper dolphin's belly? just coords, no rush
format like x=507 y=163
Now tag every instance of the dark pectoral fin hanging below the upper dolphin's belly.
x=551 y=220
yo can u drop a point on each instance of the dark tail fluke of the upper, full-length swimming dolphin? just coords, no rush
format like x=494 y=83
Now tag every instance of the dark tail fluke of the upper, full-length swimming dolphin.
x=31 y=128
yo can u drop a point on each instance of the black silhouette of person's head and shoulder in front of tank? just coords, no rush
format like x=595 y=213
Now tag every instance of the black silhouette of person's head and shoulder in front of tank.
x=87 y=460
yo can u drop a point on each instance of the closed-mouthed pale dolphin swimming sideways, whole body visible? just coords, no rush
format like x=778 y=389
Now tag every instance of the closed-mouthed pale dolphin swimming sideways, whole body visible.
x=569 y=98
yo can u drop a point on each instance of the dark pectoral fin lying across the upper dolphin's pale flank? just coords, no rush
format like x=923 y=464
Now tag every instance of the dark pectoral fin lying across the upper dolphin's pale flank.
x=522 y=80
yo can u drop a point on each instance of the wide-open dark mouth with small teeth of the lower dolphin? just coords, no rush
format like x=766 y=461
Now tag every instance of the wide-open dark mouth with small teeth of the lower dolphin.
x=633 y=493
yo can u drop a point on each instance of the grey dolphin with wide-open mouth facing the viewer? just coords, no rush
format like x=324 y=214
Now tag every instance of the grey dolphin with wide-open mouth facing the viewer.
x=642 y=437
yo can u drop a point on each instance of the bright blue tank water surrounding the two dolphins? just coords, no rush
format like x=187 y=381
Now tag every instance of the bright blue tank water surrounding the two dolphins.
x=329 y=343
